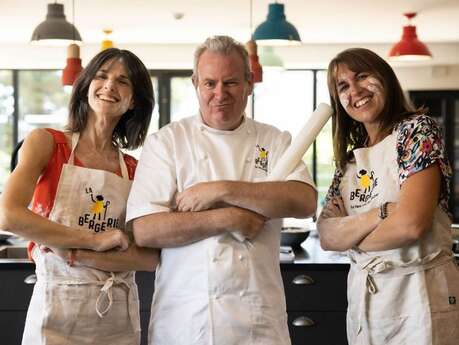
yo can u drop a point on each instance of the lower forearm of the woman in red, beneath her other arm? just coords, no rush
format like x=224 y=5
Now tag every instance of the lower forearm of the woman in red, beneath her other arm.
x=133 y=259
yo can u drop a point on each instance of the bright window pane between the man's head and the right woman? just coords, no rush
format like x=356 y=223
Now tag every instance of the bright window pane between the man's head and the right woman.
x=284 y=99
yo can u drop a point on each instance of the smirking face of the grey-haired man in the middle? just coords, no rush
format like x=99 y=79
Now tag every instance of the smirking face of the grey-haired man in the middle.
x=222 y=89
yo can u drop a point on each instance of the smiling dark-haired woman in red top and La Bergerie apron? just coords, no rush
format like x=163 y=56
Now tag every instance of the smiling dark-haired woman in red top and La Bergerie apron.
x=77 y=182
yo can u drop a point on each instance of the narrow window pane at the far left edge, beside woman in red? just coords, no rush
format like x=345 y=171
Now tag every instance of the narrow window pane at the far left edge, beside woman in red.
x=6 y=123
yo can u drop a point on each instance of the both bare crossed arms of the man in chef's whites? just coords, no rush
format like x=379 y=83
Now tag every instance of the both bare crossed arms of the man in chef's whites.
x=211 y=208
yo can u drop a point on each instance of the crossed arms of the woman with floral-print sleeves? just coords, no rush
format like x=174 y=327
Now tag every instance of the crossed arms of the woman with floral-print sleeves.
x=407 y=221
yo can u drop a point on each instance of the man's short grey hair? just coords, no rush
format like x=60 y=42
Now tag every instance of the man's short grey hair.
x=224 y=45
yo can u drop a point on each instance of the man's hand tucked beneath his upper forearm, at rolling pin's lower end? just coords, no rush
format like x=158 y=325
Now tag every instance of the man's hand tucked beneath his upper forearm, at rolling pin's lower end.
x=248 y=223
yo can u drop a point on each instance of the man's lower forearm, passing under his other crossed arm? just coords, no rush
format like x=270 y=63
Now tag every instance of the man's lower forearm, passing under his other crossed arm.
x=173 y=229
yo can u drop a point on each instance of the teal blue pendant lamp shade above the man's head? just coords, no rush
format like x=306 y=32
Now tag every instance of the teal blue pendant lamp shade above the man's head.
x=276 y=30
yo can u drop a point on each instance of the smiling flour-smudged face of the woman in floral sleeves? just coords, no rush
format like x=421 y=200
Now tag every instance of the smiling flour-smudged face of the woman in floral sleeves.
x=361 y=94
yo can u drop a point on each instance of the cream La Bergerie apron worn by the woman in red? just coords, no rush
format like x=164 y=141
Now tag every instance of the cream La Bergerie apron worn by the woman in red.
x=80 y=305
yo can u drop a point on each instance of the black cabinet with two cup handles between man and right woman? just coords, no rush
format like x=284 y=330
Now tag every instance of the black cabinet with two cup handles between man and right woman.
x=316 y=303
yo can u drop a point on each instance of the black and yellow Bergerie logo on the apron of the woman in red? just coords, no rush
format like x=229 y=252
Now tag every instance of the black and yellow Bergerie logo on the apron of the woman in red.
x=97 y=219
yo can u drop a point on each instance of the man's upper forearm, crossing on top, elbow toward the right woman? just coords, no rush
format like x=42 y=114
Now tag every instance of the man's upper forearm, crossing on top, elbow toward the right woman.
x=272 y=199
